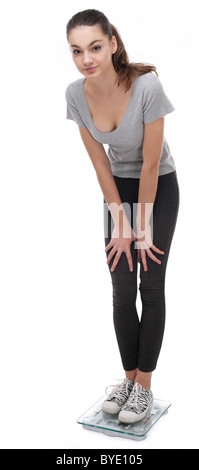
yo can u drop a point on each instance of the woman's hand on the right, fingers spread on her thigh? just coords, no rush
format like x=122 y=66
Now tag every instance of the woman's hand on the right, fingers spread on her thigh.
x=145 y=246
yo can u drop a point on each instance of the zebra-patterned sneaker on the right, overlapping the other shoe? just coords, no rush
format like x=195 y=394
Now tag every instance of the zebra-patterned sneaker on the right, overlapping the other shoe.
x=137 y=405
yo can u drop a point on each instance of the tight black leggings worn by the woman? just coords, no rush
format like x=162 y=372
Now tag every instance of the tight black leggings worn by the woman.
x=140 y=341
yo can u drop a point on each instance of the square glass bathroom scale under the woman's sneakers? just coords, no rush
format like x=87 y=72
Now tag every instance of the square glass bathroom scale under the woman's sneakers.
x=95 y=419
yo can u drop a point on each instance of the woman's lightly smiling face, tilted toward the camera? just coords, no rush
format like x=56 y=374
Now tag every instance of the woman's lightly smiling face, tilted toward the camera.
x=91 y=50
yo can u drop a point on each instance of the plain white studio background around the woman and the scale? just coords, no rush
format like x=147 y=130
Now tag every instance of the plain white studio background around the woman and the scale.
x=57 y=342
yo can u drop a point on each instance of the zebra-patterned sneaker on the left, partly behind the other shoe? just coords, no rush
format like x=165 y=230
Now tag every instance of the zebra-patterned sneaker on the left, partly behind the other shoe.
x=118 y=397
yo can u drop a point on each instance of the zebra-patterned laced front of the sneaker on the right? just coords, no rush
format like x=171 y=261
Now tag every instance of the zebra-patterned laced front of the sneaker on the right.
x=138 y=400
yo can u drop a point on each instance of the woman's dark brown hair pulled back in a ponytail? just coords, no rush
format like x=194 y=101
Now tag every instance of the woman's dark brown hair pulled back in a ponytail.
x=126 y=70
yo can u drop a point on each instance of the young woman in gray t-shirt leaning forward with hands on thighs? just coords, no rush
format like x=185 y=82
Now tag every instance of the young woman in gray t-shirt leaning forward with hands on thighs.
x=123 y=105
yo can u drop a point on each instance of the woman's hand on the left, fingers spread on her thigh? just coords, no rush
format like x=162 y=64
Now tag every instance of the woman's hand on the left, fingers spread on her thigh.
x=120 y=244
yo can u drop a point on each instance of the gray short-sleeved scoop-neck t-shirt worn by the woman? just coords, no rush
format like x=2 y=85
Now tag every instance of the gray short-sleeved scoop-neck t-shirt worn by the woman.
x=148 y=102
